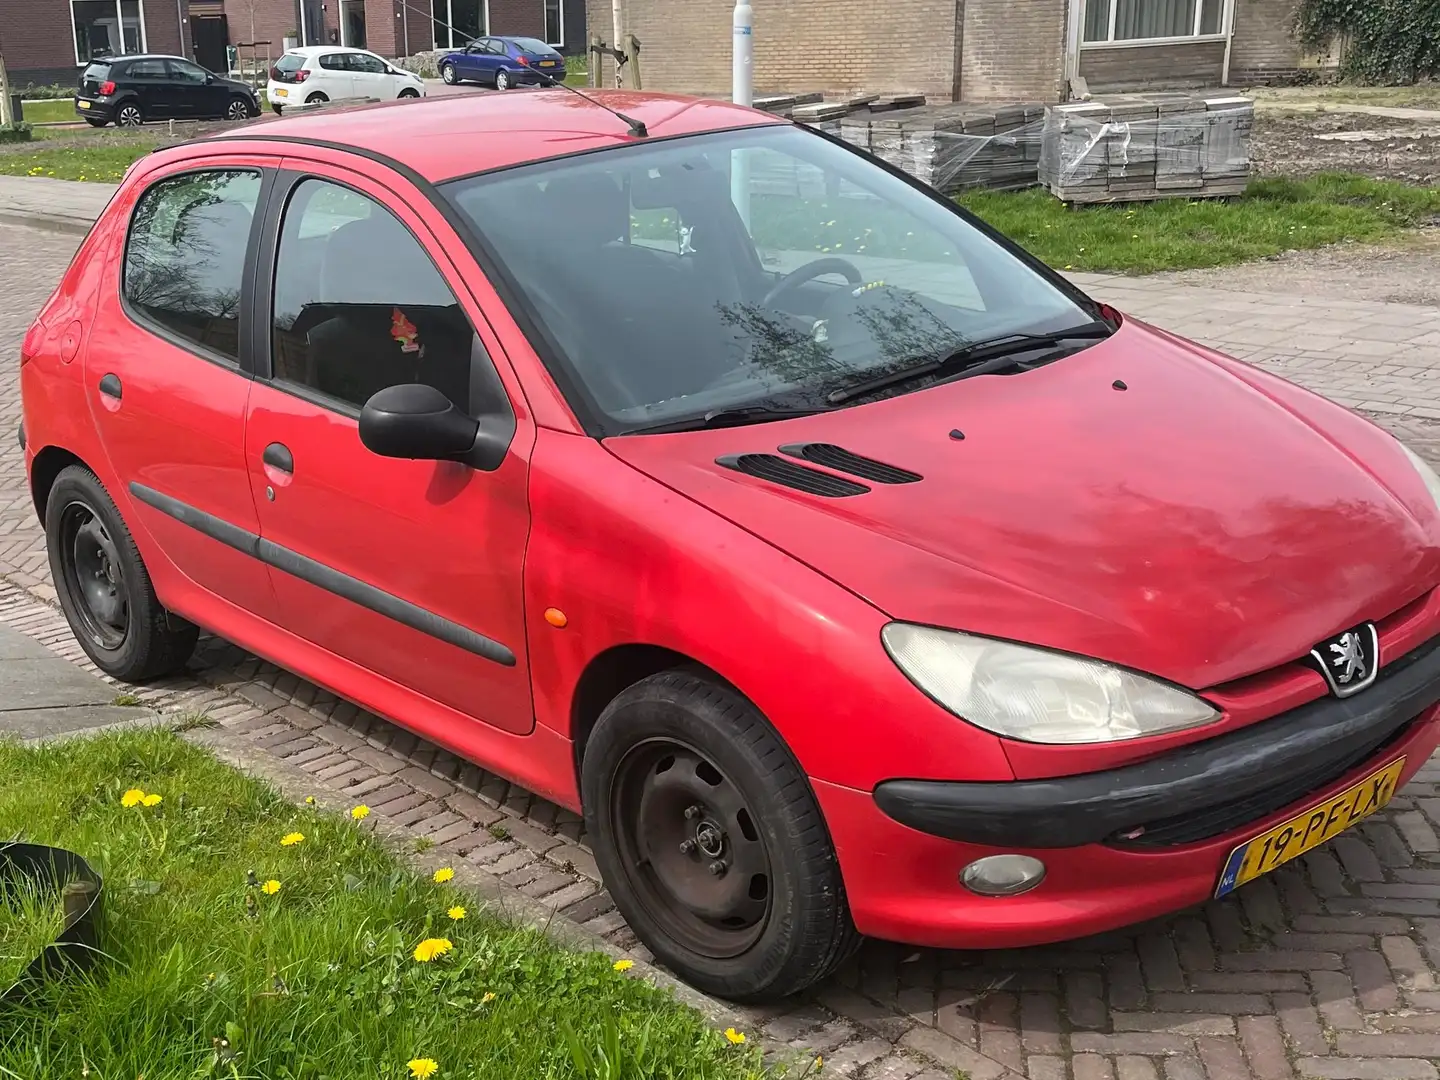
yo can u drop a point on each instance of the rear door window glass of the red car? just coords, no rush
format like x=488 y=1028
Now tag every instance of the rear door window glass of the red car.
x=185 y=258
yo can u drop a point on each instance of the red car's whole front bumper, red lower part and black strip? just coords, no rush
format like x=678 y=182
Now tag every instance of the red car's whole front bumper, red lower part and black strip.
x=904 y=847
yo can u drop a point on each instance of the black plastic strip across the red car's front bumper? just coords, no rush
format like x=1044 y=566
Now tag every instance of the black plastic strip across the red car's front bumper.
x=1203 y=790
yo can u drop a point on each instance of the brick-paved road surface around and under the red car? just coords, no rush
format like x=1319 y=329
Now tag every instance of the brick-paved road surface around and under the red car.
x=1326 y=970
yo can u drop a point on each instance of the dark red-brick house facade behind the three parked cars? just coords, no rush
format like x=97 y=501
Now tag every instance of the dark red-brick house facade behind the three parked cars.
x=48 y=41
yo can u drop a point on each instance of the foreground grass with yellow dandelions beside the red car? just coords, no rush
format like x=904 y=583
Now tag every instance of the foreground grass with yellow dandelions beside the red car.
x=316 y=971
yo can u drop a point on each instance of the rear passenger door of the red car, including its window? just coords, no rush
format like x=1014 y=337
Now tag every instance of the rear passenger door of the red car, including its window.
x=165 y=378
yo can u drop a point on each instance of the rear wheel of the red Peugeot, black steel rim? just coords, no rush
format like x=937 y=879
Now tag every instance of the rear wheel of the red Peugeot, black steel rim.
x=117 y=620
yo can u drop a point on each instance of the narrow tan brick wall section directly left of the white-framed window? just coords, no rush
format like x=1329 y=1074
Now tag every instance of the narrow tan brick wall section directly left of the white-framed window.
x=1013 y=51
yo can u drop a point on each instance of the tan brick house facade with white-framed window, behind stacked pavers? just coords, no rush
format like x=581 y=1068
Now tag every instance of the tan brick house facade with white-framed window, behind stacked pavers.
x=964 y=50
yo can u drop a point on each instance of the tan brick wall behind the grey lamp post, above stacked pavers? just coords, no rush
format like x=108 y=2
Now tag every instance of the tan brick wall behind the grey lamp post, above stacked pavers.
x=800 y=45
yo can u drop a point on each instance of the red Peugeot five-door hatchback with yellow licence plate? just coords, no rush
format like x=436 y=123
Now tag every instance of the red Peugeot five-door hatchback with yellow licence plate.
x=853 y=572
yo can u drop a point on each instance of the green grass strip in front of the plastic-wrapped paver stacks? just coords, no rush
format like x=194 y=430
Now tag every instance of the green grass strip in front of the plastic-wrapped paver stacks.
x=1274 y=217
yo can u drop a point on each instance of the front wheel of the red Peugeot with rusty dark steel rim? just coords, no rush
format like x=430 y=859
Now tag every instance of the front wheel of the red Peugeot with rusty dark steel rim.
x=712 y=843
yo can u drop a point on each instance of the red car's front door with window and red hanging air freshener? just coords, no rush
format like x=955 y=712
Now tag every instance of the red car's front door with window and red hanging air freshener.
x=411 y=570
